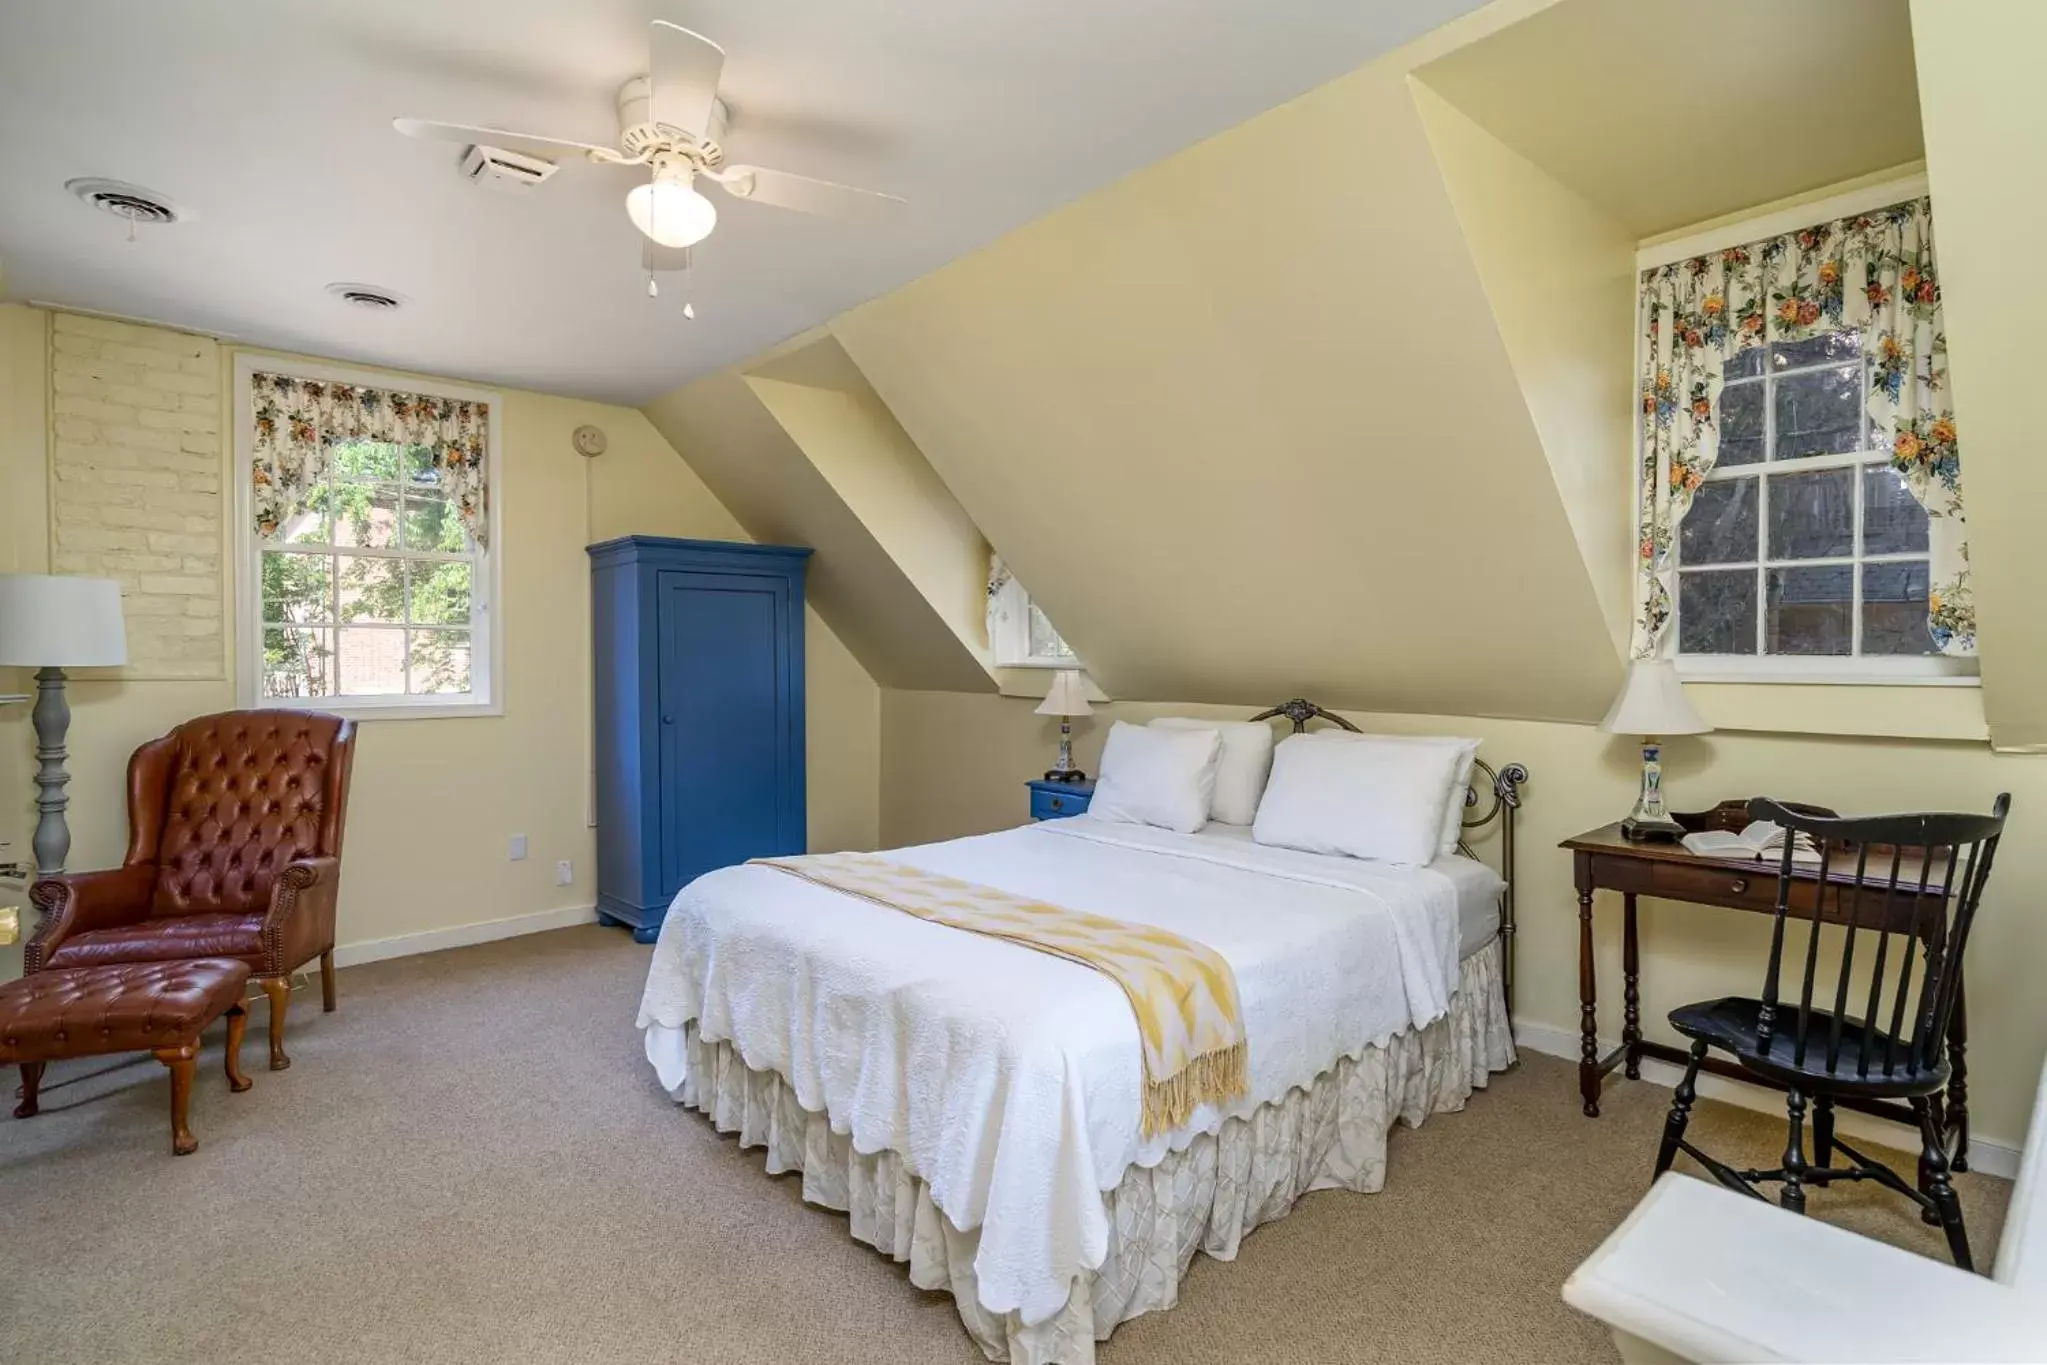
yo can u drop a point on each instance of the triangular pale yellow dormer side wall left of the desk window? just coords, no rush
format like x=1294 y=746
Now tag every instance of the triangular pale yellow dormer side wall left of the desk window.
x=1561 y=277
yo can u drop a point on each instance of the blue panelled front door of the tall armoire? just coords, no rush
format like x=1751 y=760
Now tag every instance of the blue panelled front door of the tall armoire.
x=724 y=728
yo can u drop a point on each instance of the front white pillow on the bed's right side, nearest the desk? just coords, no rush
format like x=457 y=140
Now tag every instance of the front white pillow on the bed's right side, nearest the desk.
x=1368 y=797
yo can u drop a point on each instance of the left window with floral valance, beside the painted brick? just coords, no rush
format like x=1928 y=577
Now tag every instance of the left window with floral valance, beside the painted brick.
x=369 y=568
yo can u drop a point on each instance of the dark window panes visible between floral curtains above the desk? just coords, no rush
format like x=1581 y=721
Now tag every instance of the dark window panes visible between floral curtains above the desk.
x=1802 y=539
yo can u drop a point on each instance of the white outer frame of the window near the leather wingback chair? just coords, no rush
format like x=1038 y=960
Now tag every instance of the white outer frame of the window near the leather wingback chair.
x=486 y=642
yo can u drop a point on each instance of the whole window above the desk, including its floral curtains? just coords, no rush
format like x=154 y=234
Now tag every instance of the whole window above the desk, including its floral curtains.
x=1798 y=464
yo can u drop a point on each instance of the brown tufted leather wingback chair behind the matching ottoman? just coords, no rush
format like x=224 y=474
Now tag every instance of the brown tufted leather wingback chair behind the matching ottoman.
x=234 y=852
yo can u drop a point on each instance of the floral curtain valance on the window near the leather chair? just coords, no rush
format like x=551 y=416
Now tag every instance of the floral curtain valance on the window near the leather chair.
x=298 y=423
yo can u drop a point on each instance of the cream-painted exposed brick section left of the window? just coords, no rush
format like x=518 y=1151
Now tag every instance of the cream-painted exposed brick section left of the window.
x=136 y=484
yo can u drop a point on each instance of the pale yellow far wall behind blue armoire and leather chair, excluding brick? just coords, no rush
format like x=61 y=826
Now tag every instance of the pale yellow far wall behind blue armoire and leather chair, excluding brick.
x=435 y=801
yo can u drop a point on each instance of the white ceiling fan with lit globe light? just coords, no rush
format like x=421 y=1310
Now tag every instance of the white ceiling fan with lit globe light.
x=670 y=122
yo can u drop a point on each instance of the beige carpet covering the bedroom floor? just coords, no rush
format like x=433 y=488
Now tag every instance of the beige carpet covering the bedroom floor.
x=472 y=1163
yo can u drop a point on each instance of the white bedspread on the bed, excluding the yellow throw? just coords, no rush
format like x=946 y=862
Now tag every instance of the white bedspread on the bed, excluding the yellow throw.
x=1006 y=1077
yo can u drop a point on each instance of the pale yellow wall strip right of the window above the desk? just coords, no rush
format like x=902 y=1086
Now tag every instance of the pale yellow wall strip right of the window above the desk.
x=1987 y=128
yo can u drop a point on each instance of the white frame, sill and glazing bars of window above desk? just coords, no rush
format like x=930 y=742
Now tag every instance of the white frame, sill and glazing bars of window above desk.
x=1759 y=668
